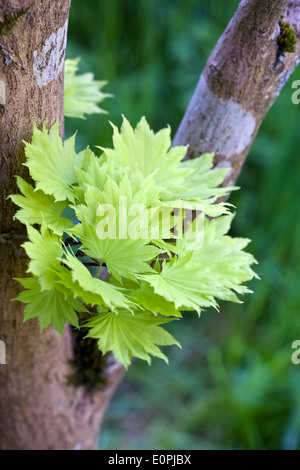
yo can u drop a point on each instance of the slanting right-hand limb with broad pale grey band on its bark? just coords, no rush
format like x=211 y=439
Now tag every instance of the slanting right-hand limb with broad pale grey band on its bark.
x=240 y=82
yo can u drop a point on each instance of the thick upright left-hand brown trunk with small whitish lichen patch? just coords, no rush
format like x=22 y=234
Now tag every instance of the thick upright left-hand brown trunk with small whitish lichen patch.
x=37 y=409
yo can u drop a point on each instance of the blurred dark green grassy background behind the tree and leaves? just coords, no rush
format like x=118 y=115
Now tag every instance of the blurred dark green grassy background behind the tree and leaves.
x=233 y=386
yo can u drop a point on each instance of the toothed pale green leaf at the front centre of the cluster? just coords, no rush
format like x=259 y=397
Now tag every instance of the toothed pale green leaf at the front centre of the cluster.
x=123 y=255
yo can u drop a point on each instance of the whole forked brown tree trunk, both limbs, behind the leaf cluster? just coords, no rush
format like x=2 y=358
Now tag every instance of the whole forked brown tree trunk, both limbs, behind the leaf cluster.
x=241 y=80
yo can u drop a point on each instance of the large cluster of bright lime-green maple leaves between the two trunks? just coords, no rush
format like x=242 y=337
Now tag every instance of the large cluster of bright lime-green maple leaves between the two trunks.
x=124 y=289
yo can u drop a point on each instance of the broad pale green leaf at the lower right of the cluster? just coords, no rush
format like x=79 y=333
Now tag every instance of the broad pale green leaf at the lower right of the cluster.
x=214 y=271
